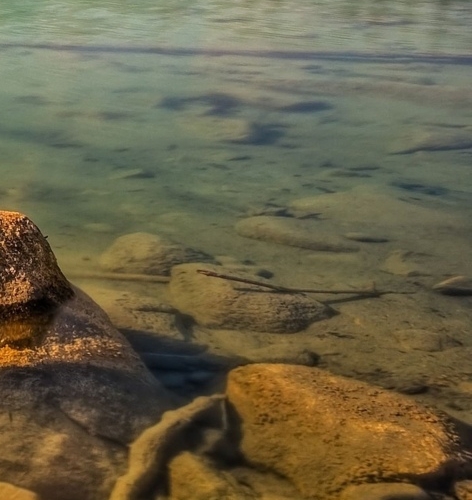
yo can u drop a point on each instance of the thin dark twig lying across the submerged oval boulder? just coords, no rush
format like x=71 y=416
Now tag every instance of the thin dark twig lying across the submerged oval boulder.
x=371 y=292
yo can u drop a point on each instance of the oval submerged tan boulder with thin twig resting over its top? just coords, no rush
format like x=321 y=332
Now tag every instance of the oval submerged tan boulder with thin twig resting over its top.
x=219 y=303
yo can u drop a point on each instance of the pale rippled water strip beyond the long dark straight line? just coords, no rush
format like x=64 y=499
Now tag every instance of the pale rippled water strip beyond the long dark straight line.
x=424 y=26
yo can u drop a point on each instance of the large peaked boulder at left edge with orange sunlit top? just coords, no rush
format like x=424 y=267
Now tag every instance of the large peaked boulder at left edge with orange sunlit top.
x=73 y=393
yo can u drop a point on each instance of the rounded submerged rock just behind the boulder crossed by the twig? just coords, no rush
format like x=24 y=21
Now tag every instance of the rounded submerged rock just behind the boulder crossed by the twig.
x=145 y=253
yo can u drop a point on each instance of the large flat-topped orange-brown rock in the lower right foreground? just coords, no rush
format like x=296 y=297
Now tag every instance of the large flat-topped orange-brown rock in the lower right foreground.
x=324 y=432
